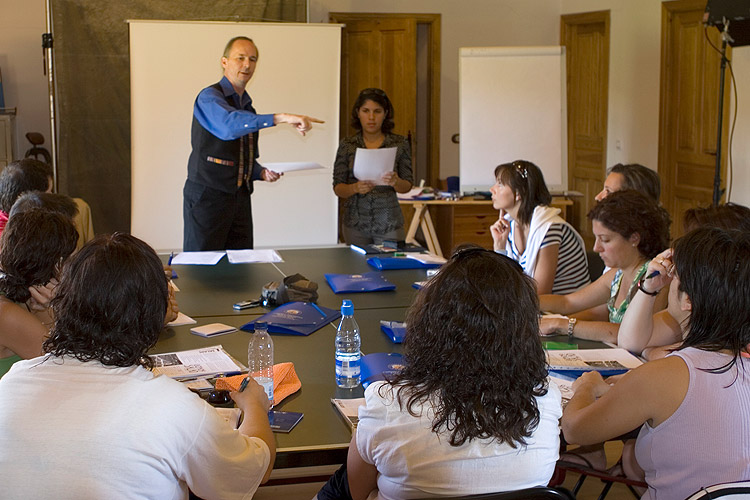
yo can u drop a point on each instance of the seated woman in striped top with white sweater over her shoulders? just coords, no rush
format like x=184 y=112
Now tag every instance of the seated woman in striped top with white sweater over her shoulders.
x=533 y=233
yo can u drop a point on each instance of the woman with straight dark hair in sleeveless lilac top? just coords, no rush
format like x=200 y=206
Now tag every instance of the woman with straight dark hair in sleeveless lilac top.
x=684 y=443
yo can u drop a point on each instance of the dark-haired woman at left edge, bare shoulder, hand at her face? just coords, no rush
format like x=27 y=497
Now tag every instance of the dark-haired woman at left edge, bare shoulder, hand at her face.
x=32 y=247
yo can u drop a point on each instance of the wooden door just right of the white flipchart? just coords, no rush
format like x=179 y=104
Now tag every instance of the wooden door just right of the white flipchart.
x=586 y=41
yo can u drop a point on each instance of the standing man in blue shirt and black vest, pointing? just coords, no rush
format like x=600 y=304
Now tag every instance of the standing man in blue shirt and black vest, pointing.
x=222 y=166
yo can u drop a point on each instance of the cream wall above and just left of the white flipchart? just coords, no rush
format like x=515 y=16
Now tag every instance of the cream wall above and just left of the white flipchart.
x=464 y=23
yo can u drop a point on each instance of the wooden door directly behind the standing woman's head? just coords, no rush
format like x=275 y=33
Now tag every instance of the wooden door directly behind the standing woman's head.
x=381 y=53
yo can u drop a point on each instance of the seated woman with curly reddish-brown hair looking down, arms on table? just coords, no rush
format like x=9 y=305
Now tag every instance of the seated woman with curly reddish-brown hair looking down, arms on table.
x=630 y=229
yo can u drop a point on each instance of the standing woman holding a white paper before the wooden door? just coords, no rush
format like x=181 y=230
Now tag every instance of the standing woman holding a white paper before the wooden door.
x=371 y=212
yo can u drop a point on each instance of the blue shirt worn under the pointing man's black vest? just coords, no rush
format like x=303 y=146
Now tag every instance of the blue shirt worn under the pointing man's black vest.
x=224 y=121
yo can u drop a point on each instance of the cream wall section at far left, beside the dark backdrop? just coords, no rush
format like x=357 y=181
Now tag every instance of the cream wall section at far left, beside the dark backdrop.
x=24 y=82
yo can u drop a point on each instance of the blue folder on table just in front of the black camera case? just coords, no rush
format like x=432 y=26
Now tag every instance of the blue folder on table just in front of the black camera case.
x=295 y=318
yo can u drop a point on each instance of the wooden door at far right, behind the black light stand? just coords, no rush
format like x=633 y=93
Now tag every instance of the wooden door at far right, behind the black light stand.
x=689 y=111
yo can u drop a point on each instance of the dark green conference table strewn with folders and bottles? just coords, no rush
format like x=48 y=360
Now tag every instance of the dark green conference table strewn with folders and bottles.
x=208 y=292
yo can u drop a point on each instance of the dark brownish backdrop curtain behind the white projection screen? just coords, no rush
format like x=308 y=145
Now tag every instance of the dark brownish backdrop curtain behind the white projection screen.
x=92 y=69
